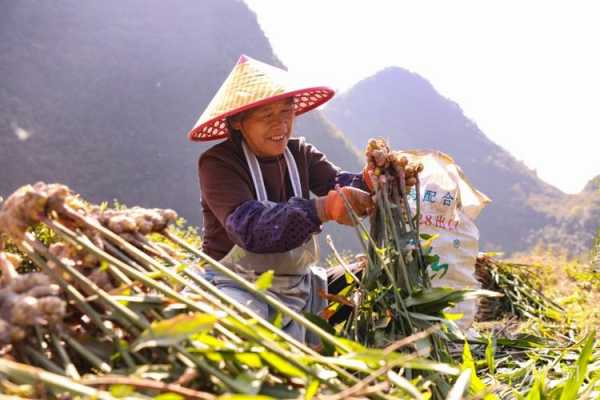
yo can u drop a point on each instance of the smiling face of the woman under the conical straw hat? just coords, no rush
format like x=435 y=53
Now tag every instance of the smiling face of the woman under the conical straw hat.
x=266 y=129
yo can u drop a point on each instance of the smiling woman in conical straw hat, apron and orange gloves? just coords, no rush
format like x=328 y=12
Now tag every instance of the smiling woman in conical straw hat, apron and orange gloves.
x=255 y=188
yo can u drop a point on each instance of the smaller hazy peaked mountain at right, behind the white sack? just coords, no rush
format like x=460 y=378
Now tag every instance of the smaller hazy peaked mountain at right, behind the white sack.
x=405 y=108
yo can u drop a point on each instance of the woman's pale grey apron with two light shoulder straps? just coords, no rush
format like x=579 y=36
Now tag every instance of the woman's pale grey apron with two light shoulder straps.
x=297 y=281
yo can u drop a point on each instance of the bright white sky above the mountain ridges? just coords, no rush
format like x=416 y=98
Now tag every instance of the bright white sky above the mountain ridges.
x=527 y=72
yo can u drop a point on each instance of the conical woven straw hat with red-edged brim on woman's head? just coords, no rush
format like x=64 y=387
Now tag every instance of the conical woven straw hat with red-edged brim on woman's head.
x=250 y=84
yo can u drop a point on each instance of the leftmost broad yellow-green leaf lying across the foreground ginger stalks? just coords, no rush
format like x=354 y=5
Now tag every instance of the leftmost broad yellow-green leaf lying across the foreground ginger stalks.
x=171 y=331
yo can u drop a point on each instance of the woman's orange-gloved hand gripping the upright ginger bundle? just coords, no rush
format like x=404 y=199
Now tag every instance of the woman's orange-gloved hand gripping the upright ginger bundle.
x=333 y=206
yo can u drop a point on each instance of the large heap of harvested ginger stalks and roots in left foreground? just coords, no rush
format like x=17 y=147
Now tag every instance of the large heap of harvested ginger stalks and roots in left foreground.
x=142 y=333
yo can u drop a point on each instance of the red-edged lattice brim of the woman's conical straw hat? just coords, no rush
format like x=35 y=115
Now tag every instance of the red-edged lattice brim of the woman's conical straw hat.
x=304 y=101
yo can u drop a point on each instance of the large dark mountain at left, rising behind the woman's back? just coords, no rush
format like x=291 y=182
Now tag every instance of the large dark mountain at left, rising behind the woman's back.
x=100 y=95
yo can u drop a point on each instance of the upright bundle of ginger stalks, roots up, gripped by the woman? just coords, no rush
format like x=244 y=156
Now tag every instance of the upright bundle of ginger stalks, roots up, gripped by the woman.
x=393 y=299
